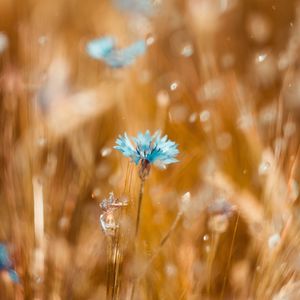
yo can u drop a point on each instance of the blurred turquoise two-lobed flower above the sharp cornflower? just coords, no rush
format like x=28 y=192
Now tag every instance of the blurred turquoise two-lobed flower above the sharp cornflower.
x=105 y=49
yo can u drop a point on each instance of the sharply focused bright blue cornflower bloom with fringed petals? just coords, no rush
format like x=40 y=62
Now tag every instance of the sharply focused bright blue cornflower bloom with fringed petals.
x=152 y=149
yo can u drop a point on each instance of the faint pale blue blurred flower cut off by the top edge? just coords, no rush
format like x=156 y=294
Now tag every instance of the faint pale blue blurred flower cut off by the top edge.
x=145 y=7
